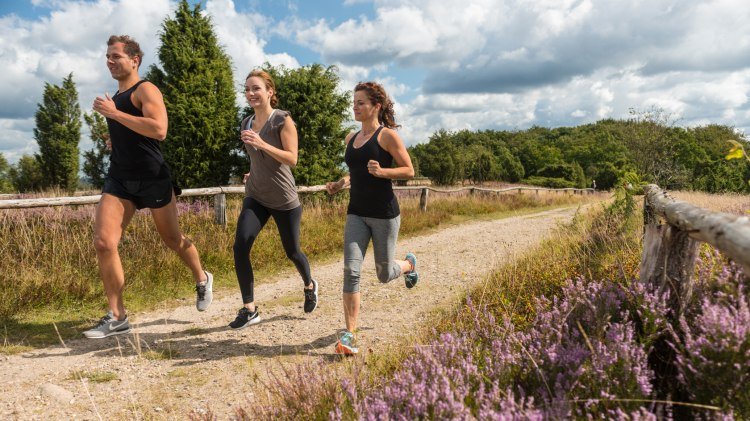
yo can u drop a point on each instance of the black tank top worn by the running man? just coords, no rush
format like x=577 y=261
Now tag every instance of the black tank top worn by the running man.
x=134 y=156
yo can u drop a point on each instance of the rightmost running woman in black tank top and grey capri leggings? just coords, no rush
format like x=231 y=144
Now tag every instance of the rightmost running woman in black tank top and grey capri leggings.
x=373 y=212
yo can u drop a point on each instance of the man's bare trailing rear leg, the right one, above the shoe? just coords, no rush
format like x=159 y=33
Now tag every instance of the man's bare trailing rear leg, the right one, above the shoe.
x=165 y=219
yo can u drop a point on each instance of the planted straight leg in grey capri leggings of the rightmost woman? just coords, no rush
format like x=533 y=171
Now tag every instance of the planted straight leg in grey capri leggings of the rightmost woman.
x=356 y=238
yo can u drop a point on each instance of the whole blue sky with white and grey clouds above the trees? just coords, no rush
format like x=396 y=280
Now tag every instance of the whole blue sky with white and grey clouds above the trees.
x=472 y=64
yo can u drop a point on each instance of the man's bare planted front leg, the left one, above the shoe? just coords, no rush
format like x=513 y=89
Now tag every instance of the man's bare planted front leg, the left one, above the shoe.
x=112 y=217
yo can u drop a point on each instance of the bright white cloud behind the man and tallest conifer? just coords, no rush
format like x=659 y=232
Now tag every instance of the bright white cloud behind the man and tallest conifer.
x=72 y=38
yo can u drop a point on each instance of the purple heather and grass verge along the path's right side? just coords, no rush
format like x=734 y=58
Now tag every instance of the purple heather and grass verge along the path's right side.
x=584 y=352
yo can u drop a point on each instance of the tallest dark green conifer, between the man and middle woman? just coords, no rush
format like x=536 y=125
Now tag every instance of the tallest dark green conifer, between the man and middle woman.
x=196 y=80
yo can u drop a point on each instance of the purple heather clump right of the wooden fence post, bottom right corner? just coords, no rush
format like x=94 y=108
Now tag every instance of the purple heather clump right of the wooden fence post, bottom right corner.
x=713 y=358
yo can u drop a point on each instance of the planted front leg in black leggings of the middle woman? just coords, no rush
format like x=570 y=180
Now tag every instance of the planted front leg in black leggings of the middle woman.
x=253 y=217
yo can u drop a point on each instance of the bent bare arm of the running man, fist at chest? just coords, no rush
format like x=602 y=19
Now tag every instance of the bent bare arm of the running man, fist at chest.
x=149 y=100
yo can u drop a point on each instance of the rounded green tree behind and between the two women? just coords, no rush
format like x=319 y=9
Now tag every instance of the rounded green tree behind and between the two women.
x=310 y=94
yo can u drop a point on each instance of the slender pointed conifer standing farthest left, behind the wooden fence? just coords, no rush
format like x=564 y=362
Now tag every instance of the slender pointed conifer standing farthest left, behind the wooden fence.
x=57 y=132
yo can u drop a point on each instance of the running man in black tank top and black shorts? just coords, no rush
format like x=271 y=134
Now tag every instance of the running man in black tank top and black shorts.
x=138 y=178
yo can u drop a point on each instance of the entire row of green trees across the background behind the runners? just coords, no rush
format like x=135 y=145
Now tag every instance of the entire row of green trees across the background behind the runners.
x=203 y=147
